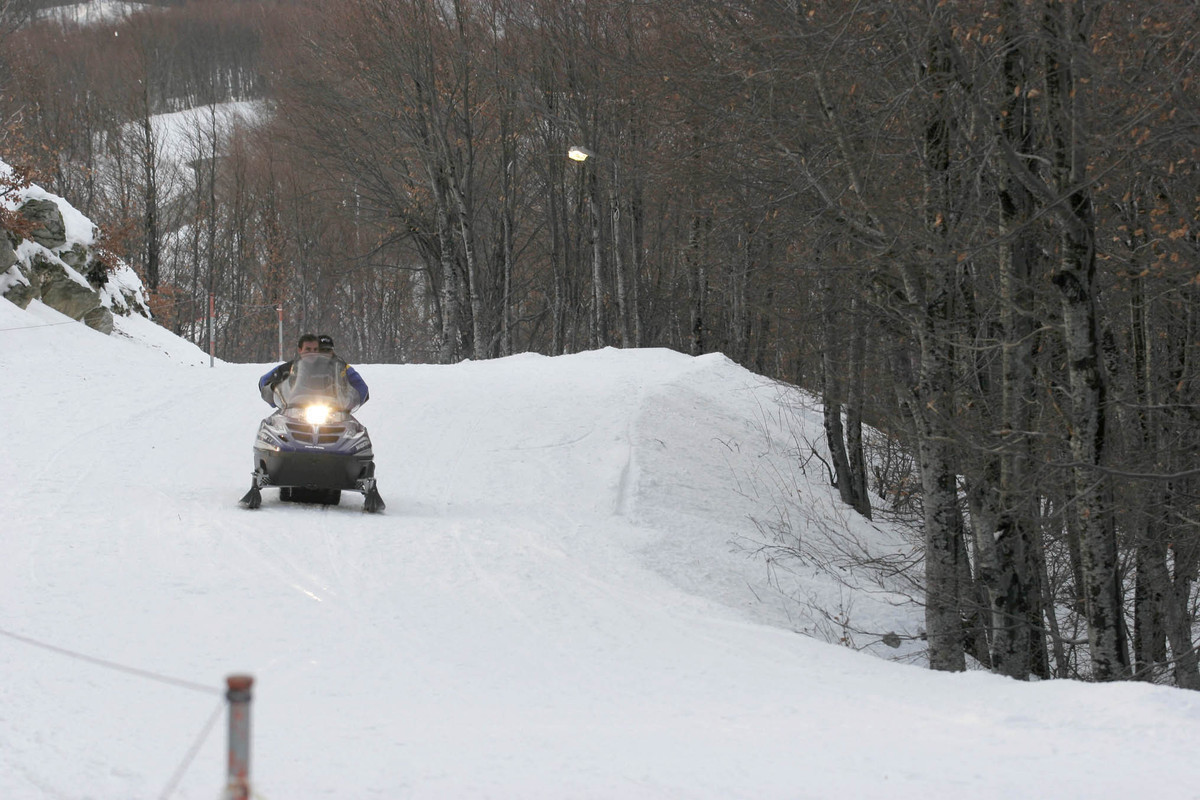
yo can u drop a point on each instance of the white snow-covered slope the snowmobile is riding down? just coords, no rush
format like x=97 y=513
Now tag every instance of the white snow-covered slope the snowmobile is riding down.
x=561 y=601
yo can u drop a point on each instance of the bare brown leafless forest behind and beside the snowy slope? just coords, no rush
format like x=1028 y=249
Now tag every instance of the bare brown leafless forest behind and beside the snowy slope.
x=970 y=226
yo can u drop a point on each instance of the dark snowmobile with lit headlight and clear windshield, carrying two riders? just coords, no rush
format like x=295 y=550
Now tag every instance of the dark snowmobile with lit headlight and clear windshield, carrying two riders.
x=313 y=448
